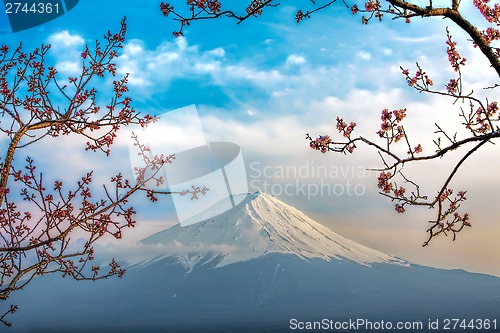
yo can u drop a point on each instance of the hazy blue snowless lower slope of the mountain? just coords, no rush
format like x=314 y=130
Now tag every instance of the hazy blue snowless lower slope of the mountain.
x=258 y=295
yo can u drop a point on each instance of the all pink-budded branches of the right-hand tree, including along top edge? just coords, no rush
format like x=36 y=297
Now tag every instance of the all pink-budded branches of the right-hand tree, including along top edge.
x=479 y=118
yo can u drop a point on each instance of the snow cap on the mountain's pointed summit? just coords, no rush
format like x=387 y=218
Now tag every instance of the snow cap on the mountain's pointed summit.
x=261 y=224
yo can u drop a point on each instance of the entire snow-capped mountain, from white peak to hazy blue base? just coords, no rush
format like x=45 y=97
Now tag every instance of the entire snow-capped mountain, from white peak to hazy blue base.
x=255 y=268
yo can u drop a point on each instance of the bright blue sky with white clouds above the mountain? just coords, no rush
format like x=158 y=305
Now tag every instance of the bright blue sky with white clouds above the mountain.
x=264 y=83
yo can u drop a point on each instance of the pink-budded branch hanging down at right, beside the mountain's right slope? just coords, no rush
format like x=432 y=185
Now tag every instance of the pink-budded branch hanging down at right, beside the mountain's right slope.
x=480 y=121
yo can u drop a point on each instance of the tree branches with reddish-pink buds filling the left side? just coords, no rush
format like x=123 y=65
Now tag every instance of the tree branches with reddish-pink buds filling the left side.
x=41 y=218
